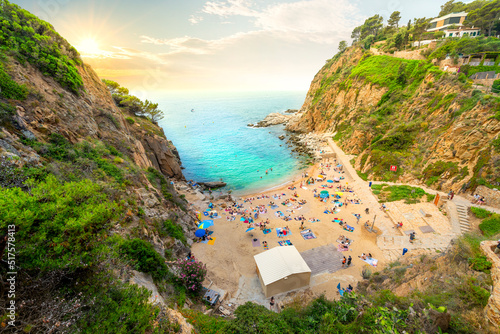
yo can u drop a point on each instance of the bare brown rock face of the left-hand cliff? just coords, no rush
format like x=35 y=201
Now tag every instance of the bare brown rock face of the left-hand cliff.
x=52 y=109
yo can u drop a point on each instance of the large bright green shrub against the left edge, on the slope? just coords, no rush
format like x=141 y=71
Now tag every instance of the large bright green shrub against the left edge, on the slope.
x=60 y=224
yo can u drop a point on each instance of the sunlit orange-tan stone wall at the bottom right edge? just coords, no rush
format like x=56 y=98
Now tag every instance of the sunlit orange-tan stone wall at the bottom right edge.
x=492 y=310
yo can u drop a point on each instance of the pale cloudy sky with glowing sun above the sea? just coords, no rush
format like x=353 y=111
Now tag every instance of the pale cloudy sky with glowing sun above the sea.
x=213 y=45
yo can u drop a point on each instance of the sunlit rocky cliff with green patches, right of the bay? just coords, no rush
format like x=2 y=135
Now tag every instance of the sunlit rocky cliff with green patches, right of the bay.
x=388 y=111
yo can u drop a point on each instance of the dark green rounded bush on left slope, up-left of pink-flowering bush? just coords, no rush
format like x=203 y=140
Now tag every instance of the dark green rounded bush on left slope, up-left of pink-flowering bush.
x=145 y=258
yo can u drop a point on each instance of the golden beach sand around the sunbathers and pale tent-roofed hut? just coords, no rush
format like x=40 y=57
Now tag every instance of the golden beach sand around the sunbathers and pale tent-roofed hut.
x=230 y=264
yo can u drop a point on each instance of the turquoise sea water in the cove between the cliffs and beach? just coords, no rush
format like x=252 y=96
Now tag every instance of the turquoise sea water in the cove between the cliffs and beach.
x=215 y=143
